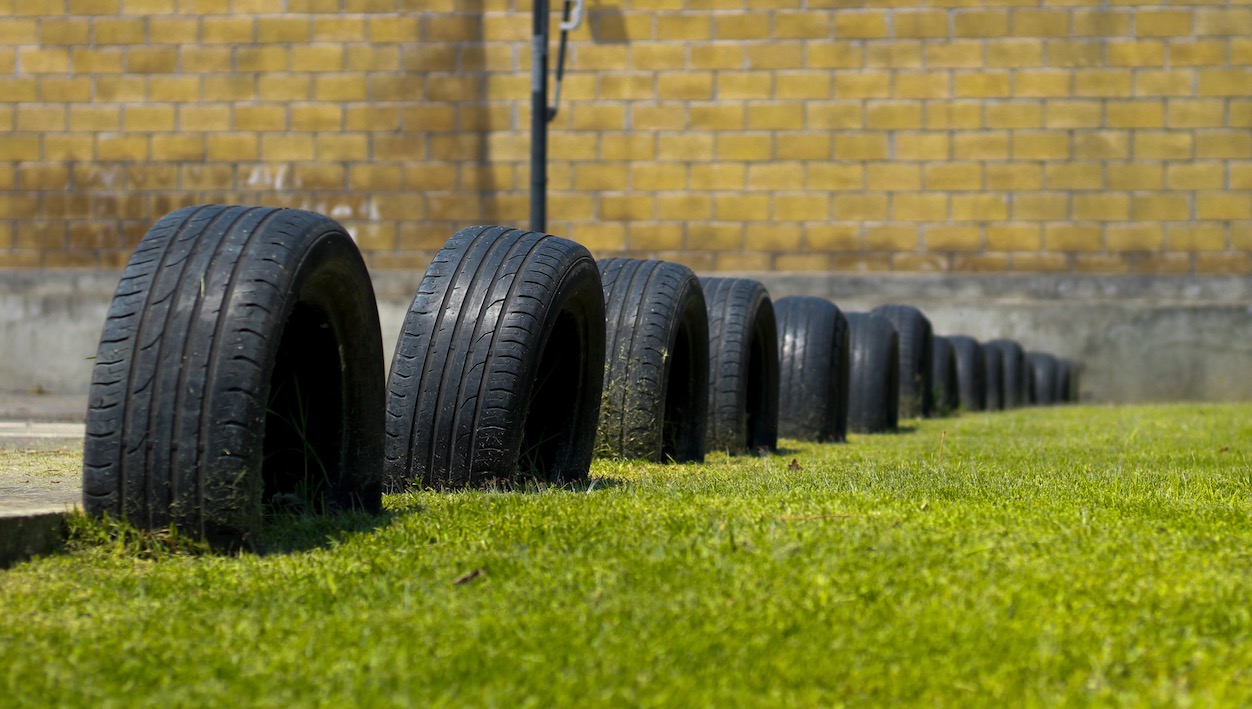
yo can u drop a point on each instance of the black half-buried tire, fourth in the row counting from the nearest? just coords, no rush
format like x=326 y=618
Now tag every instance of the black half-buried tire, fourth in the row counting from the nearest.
x=743 y=366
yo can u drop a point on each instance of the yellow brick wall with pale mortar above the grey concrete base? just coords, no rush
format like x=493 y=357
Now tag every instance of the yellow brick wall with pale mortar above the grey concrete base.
x=1072 y=136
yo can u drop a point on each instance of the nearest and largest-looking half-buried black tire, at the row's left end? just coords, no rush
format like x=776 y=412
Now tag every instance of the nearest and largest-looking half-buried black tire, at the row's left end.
x=241 y=365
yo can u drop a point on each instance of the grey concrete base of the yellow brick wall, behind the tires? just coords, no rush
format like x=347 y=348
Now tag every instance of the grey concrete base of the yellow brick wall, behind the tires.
x=1139 y=338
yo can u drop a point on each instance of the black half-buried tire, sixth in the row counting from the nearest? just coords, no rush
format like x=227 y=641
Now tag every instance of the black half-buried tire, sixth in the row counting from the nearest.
x=875 y=390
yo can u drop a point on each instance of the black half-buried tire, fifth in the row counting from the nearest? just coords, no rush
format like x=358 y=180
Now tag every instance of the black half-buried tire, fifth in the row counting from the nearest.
x=813 y=370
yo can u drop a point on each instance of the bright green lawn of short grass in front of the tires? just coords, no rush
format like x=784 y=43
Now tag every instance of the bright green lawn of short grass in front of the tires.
x=1036 y=558
